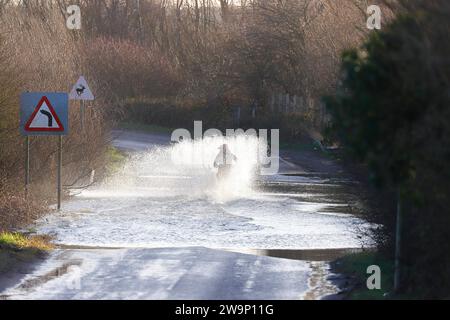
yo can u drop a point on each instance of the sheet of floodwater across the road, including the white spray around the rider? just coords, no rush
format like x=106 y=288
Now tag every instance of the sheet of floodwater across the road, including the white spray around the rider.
x=168 y=196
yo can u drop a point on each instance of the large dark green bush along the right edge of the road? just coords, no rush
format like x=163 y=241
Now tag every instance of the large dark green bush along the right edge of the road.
x=392 y=112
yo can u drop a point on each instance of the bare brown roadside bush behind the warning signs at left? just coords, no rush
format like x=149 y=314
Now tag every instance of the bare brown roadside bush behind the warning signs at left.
x=38 y=53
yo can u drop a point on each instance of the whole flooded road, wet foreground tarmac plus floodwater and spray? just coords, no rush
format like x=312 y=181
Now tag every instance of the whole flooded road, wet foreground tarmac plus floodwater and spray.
x=180 y=234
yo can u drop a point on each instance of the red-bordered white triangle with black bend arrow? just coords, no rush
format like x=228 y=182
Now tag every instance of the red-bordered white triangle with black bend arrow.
x=44 y=118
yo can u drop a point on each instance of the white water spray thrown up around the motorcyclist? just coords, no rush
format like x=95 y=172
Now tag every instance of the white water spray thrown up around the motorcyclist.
x=185 y=169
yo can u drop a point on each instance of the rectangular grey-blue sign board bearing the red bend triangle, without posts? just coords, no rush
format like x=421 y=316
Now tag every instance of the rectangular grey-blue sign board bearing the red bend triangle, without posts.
x=44 y=113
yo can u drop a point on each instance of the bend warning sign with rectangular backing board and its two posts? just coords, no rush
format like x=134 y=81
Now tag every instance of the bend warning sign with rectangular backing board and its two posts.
x=44 y=114
